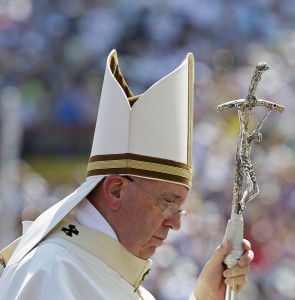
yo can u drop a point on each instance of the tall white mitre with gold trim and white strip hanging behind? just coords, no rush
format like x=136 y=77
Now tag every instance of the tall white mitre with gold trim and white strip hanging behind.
x=147 y=135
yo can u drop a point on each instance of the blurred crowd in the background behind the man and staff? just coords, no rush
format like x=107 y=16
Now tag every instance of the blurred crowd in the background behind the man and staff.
x=52 y=60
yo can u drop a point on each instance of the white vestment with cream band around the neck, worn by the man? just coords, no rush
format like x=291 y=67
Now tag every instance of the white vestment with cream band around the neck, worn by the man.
x=77 y=262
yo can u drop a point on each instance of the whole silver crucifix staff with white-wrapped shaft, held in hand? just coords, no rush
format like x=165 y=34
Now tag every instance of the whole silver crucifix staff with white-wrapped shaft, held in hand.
x=244 y=171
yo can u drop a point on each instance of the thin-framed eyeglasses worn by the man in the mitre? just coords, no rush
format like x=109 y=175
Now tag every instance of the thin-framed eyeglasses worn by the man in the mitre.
x=171 y=207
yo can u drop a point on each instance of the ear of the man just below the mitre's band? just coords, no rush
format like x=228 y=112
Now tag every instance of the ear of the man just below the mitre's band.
x=113 y=189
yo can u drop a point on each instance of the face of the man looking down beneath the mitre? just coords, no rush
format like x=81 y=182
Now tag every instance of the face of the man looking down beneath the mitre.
x=143 y=227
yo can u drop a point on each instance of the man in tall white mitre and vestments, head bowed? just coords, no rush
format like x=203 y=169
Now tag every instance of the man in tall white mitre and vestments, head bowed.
x=97 y=242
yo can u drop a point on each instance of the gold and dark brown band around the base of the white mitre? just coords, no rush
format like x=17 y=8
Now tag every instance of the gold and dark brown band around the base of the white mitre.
x=140 y=165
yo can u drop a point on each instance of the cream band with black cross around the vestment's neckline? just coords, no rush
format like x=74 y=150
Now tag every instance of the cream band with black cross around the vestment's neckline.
x=105 y=248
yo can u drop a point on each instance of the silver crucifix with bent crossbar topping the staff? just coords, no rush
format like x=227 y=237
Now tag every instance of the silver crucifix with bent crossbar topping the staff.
x=244 y=168
